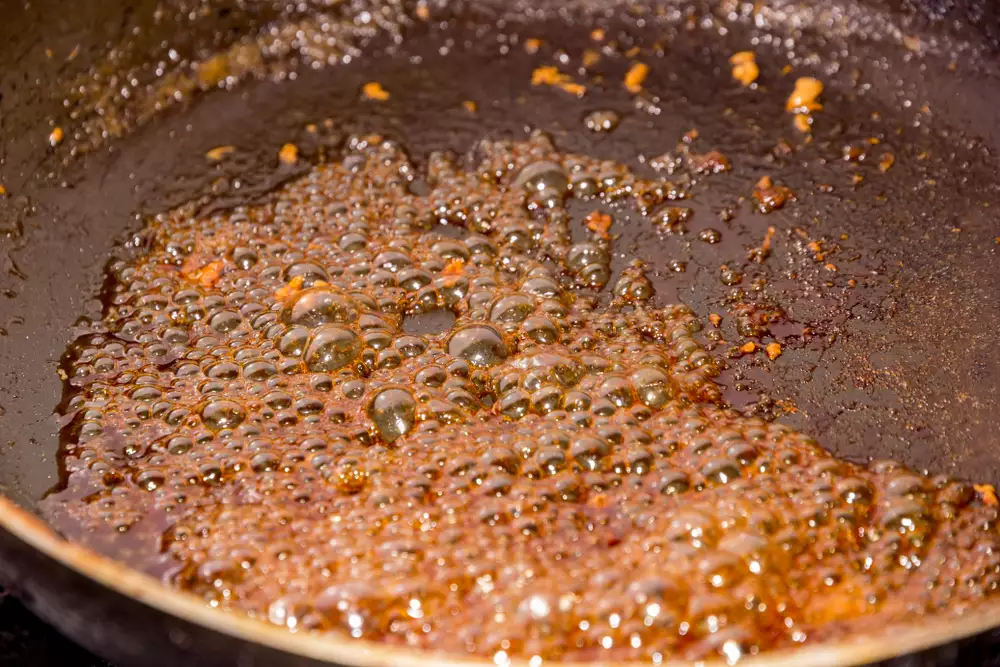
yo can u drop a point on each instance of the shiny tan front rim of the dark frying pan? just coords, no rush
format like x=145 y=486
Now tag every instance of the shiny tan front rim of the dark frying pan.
x=333 y=649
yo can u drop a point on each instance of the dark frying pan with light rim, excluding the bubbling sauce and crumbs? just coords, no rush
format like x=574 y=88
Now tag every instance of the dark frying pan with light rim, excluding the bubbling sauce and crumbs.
x=893 y=356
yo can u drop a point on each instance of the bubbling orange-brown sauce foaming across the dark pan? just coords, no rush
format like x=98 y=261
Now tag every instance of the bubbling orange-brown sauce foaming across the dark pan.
x=427 y=416
